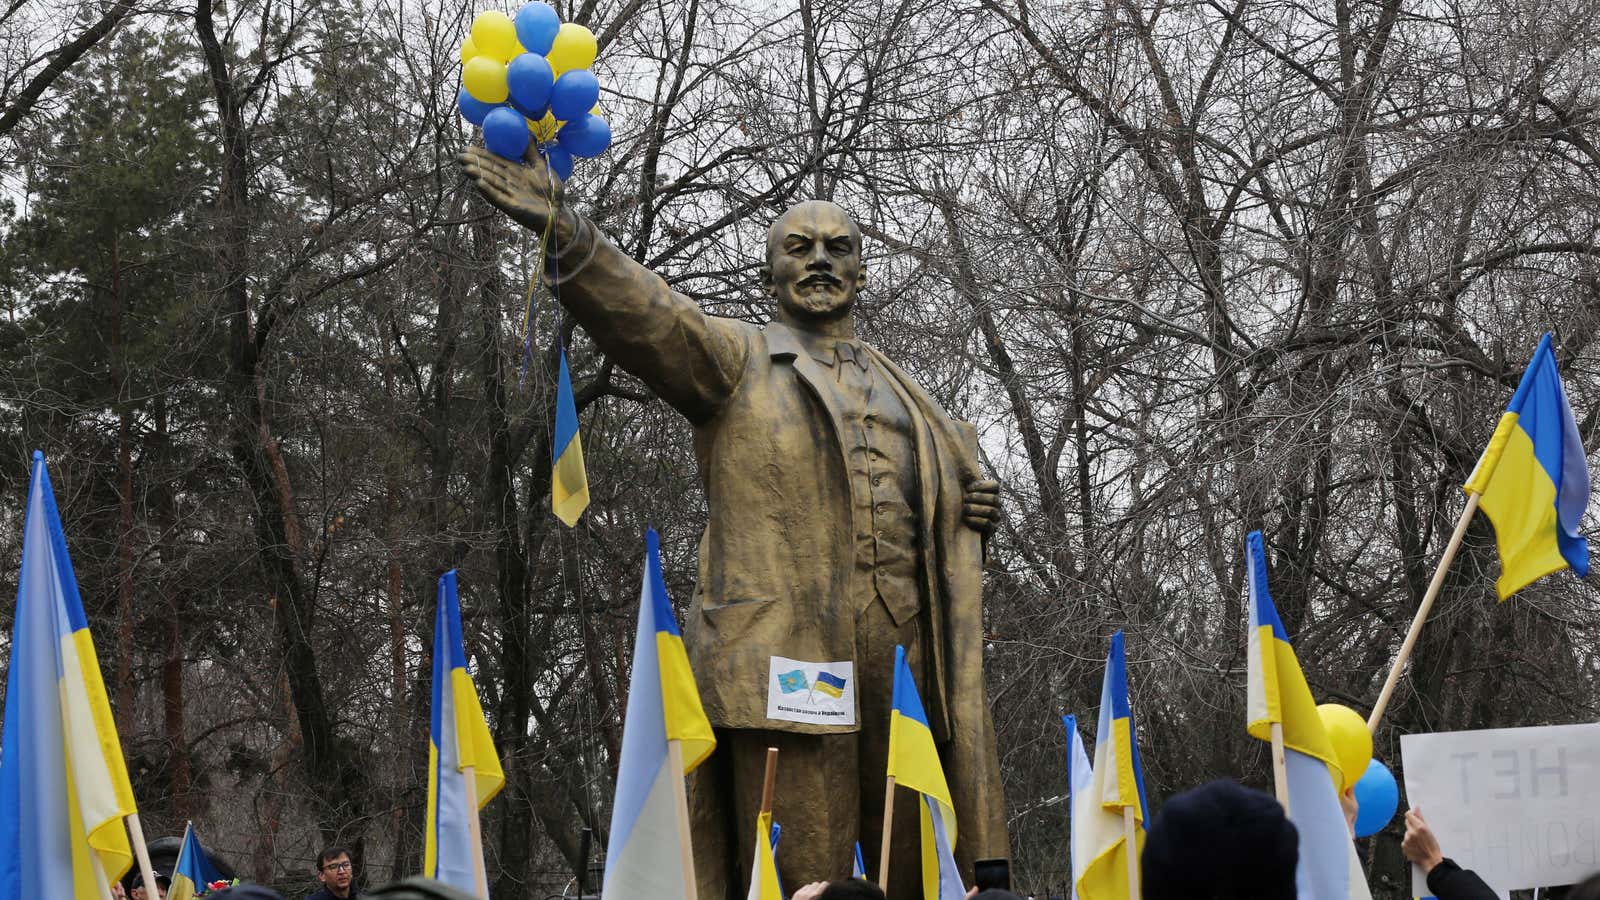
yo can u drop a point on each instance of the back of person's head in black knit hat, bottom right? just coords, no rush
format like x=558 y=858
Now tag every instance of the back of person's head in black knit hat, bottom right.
x=1220 y=842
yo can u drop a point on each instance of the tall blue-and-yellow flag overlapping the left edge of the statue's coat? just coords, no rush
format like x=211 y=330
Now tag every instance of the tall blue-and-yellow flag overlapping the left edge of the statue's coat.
x=663 y=705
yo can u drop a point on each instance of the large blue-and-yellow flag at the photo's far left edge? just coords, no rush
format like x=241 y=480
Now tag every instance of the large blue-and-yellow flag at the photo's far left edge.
x=63 y=782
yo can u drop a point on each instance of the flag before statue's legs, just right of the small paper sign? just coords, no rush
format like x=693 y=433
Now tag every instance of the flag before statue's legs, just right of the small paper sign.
x=914 y=763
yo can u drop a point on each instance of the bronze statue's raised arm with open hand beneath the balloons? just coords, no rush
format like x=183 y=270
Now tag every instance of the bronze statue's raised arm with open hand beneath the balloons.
x=665 y=339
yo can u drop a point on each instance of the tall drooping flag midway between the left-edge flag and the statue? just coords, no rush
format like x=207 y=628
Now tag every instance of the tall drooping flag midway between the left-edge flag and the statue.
x=458 y=737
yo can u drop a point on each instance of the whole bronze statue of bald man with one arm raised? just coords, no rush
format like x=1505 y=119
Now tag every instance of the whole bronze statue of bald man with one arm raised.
x=846 y=516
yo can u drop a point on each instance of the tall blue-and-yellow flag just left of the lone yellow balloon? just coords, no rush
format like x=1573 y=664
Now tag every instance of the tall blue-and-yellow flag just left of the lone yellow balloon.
x=1329 y=869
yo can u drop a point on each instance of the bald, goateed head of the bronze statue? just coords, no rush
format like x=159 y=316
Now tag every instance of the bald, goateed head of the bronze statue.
x=814 y=262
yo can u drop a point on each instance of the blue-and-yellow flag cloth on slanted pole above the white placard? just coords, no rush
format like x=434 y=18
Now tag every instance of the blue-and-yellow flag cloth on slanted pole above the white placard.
x=1535 y=481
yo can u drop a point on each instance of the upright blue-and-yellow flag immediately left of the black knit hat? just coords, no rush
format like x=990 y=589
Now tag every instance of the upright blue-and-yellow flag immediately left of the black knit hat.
x=1116 y=784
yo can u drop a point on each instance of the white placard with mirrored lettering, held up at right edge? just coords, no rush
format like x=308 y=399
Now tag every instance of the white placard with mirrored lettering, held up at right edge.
x=1518 y=806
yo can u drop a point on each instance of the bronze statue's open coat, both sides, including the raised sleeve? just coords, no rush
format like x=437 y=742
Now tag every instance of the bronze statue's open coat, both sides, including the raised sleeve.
x=777 y=552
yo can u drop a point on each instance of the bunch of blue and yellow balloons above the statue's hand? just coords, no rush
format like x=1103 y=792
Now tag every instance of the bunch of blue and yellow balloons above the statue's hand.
x=527 y=81
